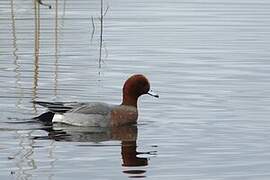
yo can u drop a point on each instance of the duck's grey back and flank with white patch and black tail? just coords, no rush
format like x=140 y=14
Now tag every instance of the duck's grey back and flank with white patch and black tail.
x=78 y=114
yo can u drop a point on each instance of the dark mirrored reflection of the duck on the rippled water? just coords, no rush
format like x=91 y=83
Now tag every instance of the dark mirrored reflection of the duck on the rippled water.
x=126 y=134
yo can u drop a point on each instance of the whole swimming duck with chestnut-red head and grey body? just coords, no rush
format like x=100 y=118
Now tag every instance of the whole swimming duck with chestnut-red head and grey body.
x=99 y=114
